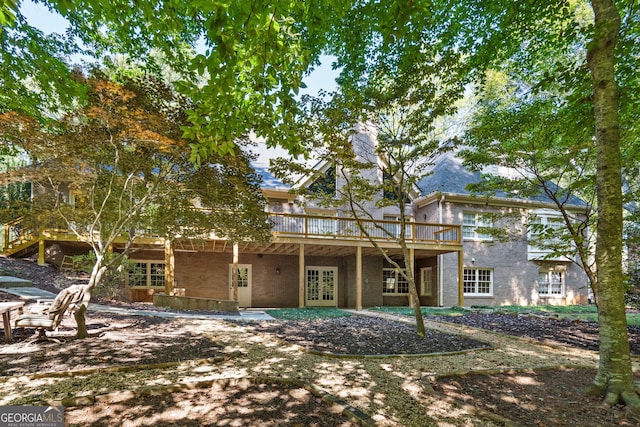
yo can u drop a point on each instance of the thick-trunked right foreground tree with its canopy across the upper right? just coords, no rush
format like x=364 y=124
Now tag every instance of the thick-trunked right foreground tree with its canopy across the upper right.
x=522 y=34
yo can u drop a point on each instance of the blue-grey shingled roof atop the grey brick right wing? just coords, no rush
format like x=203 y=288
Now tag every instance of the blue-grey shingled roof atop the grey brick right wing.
x=451 y=177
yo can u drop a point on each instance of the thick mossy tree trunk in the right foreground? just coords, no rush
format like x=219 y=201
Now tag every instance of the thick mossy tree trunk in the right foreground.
x=614 y=379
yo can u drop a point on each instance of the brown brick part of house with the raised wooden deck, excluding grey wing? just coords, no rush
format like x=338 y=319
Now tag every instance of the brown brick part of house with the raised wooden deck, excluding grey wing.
x=316 y=257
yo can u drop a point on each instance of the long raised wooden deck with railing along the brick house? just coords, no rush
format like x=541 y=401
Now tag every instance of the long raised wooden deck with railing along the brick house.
x=333 y=236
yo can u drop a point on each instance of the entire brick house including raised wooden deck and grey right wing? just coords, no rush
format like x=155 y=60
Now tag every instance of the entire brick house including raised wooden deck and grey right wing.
x=318 y=257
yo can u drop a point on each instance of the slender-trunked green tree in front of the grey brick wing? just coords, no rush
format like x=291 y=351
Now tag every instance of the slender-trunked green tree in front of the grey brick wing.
x=548 y=147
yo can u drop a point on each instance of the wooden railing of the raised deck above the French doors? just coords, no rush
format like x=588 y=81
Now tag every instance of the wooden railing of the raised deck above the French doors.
x=310 y=226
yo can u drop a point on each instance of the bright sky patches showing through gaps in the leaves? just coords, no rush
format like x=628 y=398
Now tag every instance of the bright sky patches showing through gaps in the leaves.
x=40 y=17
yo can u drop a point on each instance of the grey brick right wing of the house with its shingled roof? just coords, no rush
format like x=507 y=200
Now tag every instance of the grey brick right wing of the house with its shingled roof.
x=497 y=272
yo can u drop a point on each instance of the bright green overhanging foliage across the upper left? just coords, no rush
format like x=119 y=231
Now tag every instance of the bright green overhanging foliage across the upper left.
x=245 y=74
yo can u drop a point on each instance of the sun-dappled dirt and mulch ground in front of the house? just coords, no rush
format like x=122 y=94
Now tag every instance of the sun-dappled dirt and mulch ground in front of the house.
x=144 y=370
